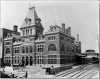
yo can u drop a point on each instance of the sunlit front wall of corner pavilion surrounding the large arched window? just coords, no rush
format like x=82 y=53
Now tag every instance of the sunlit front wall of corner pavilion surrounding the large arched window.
x=52 y=57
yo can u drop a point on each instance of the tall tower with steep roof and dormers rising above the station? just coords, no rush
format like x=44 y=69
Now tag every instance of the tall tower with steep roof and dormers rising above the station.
x=31 y=26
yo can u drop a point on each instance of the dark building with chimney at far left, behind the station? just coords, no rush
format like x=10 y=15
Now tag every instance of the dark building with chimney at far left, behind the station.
x=4 y=33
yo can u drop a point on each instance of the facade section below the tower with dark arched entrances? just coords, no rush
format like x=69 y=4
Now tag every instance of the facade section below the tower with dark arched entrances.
x=25 y=53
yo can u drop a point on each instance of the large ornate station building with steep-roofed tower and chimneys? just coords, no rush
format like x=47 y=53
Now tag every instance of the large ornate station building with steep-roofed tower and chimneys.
x=56 y=47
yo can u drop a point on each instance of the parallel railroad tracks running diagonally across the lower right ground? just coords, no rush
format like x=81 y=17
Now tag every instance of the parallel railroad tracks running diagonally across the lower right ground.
x=75 y=73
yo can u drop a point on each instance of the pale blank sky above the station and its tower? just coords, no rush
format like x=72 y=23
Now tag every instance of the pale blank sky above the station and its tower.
x=82 y=16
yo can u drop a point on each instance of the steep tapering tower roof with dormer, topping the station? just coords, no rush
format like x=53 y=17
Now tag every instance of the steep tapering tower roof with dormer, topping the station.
x=30 y=18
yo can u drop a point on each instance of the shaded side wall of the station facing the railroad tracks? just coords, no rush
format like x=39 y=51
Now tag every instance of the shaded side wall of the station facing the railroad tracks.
x=66 y=49
